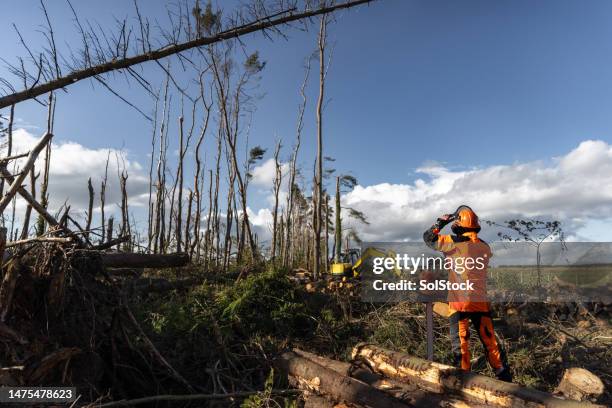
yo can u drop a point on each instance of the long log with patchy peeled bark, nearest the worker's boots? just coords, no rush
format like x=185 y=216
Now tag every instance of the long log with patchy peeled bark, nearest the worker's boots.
x=449 y=380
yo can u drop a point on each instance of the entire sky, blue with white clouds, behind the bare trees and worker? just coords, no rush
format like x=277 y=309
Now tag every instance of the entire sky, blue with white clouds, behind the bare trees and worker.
x=504 y=106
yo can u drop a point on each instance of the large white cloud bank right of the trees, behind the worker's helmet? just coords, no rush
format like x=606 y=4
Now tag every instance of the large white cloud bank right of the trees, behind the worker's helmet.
x=573 y=188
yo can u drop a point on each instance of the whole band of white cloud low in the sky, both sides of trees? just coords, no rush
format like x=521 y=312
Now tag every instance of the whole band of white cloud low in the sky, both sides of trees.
x=573 y=188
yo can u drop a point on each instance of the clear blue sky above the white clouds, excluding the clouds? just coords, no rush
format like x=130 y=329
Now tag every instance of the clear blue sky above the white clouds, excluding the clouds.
x=467 y=84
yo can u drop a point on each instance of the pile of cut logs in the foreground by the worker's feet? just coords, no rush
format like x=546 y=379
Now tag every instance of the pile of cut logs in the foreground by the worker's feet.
x=377 y=377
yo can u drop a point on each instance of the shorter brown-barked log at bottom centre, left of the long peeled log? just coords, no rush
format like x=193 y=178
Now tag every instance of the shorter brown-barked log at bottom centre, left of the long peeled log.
x=314 y=377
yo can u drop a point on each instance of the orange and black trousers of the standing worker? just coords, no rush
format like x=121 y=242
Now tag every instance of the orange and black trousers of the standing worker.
x=460 y=339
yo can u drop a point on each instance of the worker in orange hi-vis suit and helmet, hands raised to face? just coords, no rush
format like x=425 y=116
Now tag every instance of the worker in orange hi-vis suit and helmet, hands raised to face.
x=468 y=256
